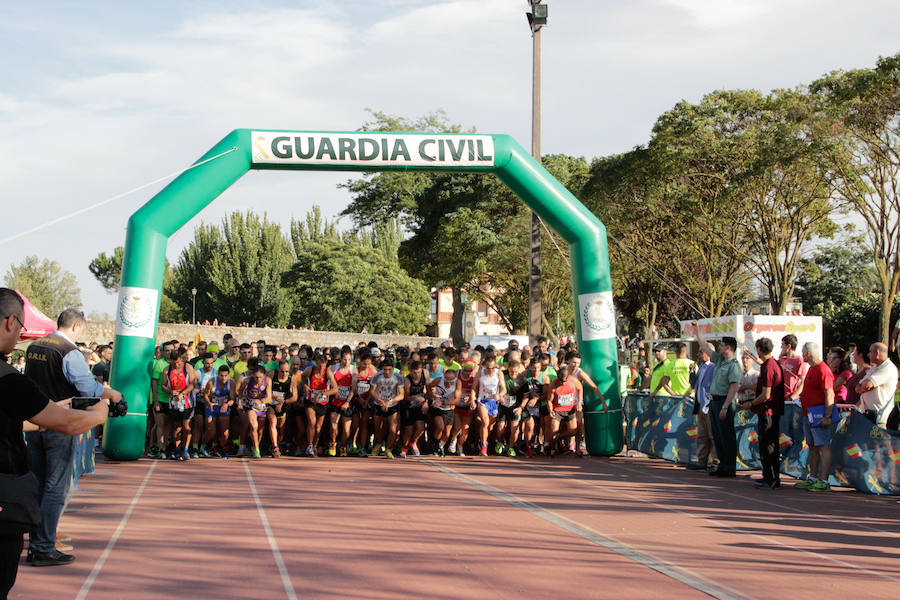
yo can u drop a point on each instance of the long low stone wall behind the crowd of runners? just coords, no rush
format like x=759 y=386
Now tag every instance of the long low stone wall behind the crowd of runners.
x=104 y=331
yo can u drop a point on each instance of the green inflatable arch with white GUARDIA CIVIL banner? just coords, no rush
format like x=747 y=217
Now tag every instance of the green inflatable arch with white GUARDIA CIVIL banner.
x=149 y=229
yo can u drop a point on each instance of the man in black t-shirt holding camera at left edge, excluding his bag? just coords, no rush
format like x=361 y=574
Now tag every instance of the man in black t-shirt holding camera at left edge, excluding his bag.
x=20 y=400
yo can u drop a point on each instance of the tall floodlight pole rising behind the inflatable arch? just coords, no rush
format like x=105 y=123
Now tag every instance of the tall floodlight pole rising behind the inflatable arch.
x=536 y=20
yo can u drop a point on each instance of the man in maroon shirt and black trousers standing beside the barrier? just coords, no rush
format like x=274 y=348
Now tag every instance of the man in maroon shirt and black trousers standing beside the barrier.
x=768 y=405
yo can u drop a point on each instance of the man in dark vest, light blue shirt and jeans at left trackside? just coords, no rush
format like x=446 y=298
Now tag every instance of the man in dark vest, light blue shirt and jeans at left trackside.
x=59 y=370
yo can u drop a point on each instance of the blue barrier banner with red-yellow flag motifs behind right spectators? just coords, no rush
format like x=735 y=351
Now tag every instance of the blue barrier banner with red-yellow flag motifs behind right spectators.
x=864 y=456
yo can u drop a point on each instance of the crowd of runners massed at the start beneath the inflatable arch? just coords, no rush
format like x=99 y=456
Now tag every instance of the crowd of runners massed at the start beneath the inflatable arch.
x=254 y=400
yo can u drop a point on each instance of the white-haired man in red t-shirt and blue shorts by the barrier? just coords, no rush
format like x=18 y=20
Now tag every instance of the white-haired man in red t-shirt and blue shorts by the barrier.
x=818 y=390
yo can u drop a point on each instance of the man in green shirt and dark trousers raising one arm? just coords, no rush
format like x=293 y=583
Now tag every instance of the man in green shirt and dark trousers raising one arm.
x=723 y=391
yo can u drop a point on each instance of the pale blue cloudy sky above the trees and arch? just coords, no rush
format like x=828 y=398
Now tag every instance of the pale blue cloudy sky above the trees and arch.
x=97 y=98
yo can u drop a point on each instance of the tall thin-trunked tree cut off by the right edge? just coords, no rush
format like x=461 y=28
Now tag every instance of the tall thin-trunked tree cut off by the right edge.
x=863 y=106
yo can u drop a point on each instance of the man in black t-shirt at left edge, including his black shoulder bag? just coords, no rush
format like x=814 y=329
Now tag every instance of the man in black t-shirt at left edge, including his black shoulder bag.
x=21 y=400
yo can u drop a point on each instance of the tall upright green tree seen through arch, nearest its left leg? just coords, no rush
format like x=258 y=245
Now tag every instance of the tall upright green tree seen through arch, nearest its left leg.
x=236 y=269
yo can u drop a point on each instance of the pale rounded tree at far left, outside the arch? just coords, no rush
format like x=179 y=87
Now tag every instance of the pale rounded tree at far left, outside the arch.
x=46 y=284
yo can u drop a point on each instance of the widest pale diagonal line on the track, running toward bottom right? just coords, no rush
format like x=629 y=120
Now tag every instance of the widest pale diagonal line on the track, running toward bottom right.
x=596 y=537
